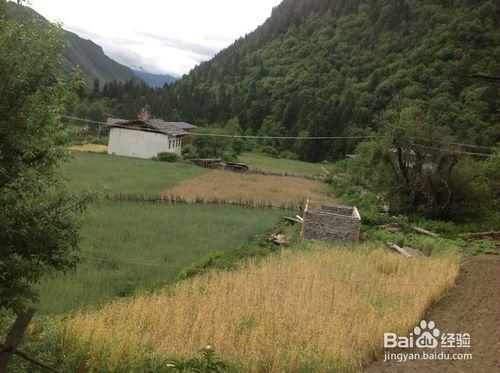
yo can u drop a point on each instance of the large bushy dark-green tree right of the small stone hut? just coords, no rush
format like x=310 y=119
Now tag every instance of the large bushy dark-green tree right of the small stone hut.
x=418 y=167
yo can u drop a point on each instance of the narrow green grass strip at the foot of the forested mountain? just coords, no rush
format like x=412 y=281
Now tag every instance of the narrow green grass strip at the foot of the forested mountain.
x=263 y=162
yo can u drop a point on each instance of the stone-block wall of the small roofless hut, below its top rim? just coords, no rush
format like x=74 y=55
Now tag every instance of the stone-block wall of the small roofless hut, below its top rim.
x=324 y=226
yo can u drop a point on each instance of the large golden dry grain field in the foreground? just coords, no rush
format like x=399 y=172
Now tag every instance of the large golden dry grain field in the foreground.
x=314 y=310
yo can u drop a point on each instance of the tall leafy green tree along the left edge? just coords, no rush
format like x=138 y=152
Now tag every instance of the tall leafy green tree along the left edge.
x=39 y=219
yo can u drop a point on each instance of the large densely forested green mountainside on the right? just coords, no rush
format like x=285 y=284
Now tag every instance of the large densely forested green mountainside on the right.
x=336 y=67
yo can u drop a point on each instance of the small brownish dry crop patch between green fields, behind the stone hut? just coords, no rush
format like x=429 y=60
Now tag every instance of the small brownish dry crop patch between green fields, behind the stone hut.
x=236 y=187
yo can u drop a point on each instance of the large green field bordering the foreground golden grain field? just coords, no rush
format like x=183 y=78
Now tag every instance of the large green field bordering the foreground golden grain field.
x=139 y=245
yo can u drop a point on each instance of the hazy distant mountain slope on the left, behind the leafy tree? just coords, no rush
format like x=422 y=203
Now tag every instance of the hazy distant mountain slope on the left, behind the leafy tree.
x=84 y=54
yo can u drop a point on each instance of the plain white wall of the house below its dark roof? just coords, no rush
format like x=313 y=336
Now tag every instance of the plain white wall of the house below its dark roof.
x=140 y=144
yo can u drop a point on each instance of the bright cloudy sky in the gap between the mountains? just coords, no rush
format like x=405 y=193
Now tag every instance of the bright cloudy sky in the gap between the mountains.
x=159 y=36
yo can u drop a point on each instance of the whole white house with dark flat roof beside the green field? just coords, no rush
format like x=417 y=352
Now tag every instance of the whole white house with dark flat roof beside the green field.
x=144 y=138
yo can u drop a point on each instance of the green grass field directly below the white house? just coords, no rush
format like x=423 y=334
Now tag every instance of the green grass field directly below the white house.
x=114 y=174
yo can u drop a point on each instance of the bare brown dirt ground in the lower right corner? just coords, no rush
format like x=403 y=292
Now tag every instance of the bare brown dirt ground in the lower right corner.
x=473 y=306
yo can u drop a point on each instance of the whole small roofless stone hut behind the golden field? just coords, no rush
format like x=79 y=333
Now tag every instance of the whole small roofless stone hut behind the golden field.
x=331 y=223
